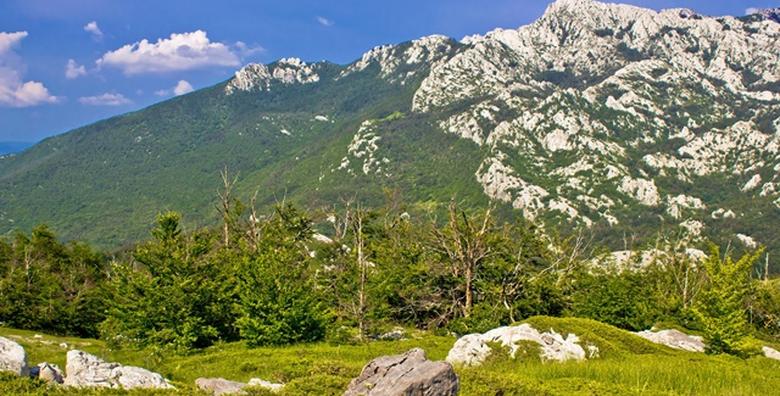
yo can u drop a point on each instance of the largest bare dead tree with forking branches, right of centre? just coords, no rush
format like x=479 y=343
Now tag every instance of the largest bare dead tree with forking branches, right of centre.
x=464 y=242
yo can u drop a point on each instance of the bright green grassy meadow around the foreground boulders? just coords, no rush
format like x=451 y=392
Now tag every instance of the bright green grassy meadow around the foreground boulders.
x=628 y=365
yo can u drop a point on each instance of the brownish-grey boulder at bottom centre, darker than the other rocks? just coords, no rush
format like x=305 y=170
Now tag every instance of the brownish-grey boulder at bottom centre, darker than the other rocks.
x=408 y=374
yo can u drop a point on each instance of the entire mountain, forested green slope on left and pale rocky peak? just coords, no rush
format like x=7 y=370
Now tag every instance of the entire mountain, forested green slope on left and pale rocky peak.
x=609 y=118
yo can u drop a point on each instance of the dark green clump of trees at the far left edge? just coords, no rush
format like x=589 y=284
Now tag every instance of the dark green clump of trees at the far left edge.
x=45 y=284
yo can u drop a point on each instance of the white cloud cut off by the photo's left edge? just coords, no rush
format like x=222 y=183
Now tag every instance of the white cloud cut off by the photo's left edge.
x=14 y=91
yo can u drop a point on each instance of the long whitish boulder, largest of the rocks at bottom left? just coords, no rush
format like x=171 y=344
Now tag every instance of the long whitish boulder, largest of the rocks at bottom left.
x=85 y=370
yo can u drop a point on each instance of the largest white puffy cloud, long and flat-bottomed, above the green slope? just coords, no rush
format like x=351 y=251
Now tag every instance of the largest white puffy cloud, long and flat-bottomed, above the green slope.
x=181 y=51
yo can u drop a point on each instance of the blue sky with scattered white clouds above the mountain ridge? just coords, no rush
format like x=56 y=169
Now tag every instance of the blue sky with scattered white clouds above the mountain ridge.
x=67 y=63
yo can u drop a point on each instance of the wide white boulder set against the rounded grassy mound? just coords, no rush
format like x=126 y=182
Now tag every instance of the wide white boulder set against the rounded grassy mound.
x=473 y=349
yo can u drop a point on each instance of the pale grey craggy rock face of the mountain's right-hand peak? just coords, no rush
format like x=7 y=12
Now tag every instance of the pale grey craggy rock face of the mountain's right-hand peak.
x=564 y=77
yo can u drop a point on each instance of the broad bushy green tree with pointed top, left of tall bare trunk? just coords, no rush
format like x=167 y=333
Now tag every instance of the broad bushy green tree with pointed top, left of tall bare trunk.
x=170 y=294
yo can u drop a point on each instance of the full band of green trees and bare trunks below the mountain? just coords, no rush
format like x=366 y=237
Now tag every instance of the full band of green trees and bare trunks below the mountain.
x=282 y=277
